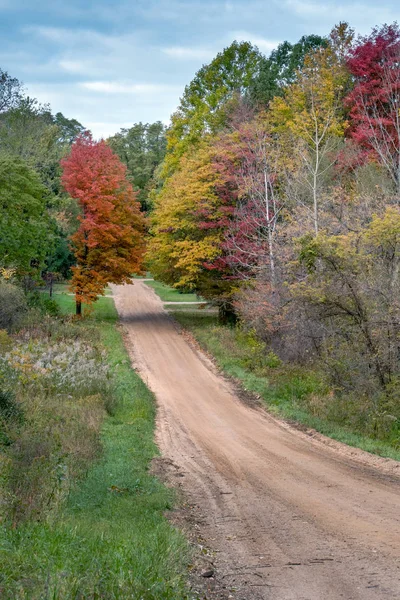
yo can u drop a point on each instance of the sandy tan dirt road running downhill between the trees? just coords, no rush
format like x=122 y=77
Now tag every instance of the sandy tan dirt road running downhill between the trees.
x=289 y=517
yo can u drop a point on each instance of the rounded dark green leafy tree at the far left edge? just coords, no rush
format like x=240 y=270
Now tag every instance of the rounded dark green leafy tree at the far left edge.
x=26 y=230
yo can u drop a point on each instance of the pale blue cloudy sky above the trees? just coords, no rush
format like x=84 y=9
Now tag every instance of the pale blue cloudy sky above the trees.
x=110 y=64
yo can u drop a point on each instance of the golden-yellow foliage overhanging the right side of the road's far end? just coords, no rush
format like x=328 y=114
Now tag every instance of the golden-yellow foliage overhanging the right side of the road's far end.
x=179 y=245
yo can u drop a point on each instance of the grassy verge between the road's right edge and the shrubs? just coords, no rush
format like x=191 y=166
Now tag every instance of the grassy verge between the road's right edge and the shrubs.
x=288 y=391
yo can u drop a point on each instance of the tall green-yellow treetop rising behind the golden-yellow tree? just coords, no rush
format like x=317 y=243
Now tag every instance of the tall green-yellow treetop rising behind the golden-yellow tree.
x=206 y=100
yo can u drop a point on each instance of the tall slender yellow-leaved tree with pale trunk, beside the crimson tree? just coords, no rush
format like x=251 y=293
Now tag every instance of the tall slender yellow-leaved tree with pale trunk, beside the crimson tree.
x=310 y=116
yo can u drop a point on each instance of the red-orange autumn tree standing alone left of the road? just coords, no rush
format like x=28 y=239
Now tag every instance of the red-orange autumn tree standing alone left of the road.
x=109 y=243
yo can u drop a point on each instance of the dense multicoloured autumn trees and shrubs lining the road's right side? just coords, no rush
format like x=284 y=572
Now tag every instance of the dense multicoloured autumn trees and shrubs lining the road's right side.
x=278 y=200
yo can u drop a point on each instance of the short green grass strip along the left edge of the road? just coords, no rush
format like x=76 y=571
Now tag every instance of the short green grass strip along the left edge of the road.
x=110 y=539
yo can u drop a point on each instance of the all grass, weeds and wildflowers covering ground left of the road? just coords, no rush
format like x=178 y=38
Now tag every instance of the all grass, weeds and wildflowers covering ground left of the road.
x=81 y=517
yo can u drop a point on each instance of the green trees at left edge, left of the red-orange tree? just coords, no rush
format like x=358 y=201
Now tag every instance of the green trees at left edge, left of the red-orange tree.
x=33 y=224
